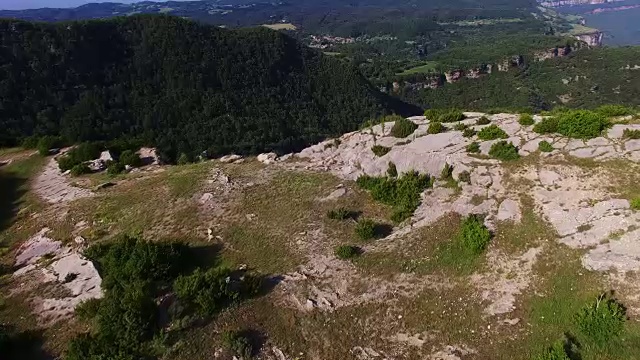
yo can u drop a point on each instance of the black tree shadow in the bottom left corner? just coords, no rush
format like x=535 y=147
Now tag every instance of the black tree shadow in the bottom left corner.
x=26 y=345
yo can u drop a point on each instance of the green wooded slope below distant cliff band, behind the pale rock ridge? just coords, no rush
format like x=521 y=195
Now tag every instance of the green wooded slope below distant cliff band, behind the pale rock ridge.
x=585 y=79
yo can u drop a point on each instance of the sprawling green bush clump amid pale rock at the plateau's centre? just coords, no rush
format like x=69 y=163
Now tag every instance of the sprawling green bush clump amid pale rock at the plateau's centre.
x=402 y=193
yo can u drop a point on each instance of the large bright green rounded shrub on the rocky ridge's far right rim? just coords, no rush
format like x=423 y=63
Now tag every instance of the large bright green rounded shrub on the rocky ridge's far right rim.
x=582 y=124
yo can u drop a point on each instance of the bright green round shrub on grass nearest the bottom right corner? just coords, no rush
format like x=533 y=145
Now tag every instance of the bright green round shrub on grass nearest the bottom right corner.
x=601 y=321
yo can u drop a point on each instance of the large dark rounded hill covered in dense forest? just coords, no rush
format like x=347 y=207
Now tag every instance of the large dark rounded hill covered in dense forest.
x=176 y=84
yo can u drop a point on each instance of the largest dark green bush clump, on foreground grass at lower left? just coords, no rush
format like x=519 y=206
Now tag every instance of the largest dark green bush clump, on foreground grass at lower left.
x=135 y=273
